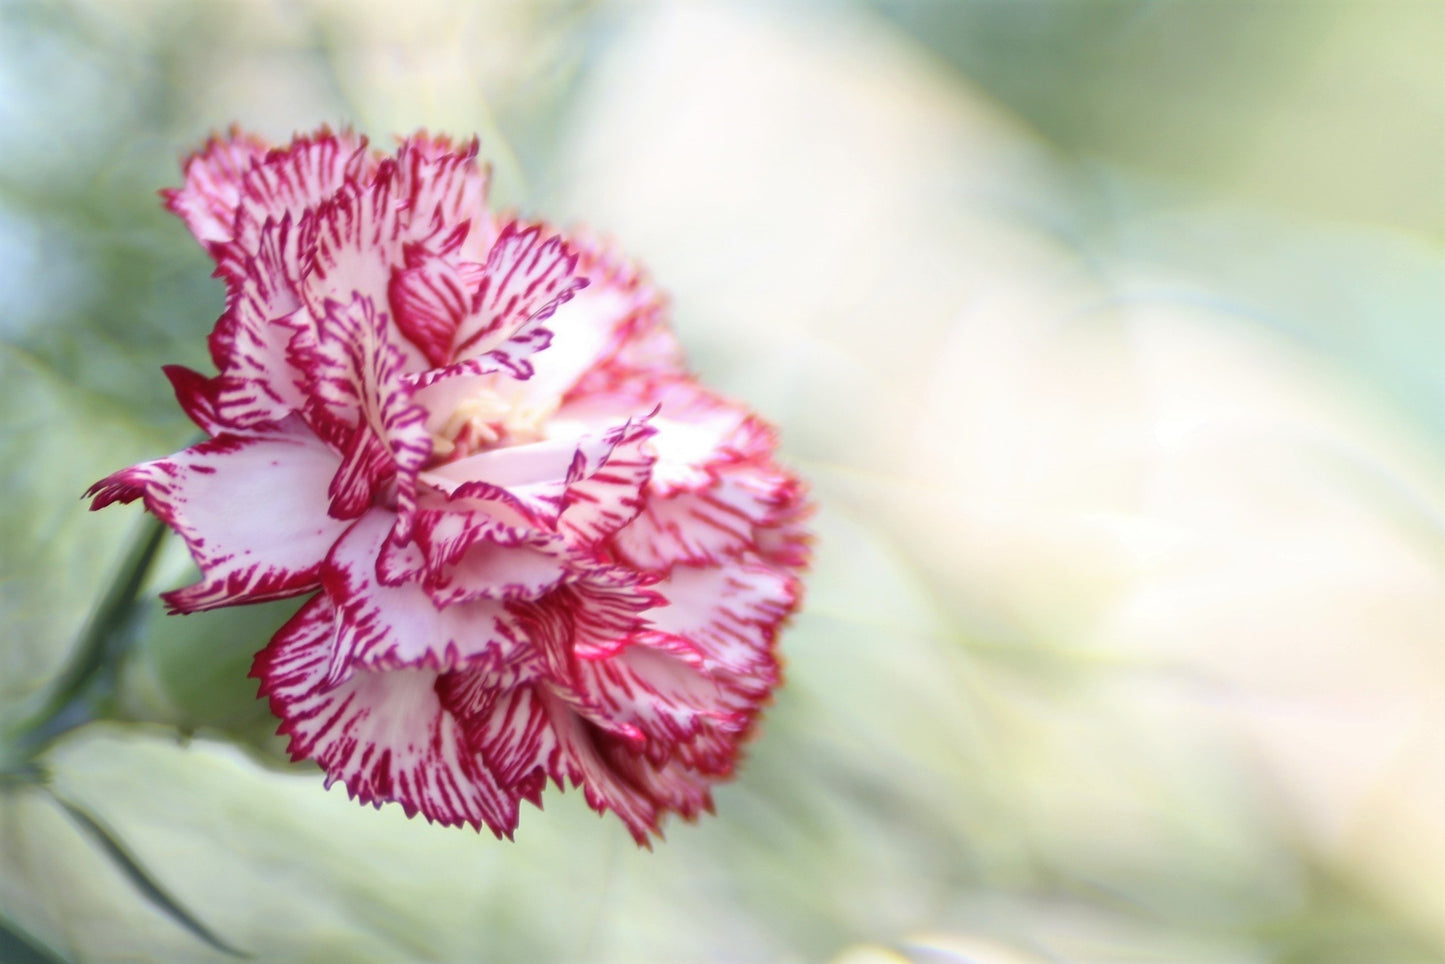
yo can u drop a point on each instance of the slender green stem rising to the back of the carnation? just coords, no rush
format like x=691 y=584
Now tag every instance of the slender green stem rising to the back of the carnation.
x=103 y=641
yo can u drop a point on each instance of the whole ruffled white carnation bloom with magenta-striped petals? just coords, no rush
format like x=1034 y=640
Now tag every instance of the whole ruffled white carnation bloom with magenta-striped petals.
x=537 y=548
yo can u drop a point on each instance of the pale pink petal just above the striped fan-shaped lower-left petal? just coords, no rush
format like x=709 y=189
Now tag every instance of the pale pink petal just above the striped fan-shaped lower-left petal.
x=400 y=627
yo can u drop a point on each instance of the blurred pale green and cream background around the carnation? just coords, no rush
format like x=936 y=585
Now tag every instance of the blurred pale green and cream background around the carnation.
x=1110 y=336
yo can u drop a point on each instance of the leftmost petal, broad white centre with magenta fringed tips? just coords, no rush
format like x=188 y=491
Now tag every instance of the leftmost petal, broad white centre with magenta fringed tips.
x=252 y=511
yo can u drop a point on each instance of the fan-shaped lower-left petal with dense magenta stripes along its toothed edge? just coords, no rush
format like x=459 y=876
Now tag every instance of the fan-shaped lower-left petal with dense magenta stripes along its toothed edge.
x=384 y=735
